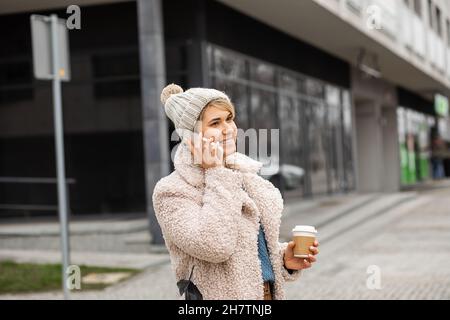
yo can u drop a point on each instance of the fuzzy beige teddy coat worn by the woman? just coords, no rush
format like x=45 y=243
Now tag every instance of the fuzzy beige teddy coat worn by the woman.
x=210 y=219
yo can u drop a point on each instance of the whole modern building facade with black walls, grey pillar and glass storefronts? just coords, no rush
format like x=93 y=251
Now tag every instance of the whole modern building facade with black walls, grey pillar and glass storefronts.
x=350 y=85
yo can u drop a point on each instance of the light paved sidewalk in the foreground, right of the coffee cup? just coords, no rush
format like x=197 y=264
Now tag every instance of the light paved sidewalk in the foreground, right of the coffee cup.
x=407 y=246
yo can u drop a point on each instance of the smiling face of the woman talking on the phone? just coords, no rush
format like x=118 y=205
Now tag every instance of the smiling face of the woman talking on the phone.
x=219 y=124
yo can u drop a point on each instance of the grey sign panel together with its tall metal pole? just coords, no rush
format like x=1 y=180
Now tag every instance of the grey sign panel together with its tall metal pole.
x=51 y=62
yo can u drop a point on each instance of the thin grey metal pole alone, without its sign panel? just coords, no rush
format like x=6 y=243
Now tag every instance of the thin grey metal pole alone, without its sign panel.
x=59 y=144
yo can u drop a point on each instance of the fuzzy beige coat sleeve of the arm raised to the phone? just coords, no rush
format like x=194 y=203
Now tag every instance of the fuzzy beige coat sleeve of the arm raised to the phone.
x=209 y=231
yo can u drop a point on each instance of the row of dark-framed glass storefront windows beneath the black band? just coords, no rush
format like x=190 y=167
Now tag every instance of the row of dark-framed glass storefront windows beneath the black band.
x=313 y=118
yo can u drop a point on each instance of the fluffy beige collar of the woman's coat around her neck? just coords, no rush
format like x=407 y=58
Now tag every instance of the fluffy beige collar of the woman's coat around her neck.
x=195 y=175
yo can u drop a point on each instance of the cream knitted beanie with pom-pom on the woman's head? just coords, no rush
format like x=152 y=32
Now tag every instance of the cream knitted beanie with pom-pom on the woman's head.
x=184 y=107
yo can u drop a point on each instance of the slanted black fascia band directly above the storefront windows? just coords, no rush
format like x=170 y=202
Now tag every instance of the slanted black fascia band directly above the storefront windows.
x=229 y=28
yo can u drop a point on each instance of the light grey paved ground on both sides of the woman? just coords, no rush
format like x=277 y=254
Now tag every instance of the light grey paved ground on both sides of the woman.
x=403 y=236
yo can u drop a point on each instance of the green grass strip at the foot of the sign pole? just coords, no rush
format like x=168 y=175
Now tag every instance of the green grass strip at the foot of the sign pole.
x=29 y=277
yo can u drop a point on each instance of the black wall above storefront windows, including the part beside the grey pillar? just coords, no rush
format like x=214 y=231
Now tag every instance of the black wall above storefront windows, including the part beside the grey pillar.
x=186 y=22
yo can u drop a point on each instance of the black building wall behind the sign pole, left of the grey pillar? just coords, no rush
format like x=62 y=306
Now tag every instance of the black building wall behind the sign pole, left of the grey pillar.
x=101 y=107
